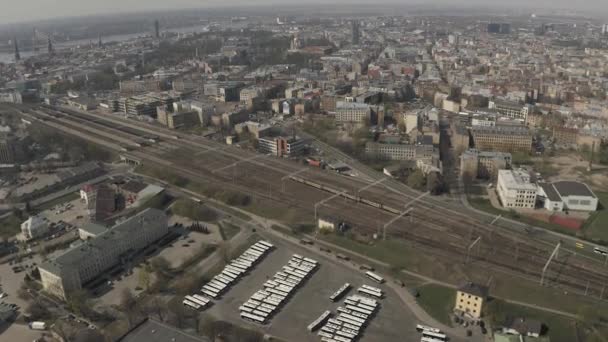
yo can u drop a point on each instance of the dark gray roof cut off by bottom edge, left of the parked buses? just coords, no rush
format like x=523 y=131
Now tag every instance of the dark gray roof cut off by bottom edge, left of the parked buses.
x=154 y=331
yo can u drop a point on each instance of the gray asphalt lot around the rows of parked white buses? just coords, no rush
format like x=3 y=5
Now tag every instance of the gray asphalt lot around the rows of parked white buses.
x=391 y=323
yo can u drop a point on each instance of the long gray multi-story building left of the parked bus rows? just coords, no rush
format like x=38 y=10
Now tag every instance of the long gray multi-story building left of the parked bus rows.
x=69 y=271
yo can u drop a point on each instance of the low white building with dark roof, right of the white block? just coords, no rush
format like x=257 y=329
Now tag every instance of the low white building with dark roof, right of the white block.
x=567 y=195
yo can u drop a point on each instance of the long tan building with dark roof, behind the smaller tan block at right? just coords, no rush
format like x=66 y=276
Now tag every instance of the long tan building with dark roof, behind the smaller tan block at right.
x=504 y=138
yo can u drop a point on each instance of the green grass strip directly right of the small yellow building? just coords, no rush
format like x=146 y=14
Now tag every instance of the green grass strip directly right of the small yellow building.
x=560 y=329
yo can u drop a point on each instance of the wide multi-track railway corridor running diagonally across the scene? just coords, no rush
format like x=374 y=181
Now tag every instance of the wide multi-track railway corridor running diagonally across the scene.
x=257 y=176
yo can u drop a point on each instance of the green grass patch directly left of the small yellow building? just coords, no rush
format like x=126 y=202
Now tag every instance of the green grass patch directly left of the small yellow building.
x=437 y=301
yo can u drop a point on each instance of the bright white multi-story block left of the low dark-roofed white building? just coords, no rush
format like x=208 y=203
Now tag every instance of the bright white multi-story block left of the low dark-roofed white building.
x=515 y=189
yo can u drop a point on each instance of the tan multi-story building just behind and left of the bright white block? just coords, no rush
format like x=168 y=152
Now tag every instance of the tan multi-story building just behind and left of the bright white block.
x=483 y=164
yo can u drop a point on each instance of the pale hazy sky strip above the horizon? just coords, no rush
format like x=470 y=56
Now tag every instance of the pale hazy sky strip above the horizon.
x=24 y=10
